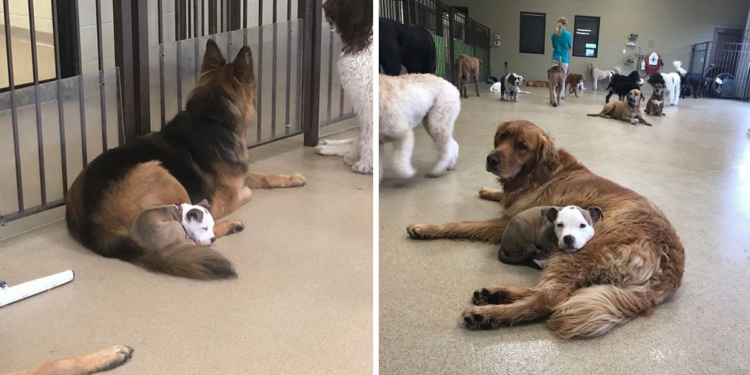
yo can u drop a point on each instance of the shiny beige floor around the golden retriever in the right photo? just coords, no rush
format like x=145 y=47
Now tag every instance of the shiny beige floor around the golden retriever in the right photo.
x=694 y=164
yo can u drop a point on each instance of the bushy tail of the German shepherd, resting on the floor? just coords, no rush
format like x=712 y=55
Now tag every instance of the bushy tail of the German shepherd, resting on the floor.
x=189 y=261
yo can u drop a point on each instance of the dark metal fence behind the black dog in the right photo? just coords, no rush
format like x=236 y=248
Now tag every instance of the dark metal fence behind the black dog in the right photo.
x=453 y=32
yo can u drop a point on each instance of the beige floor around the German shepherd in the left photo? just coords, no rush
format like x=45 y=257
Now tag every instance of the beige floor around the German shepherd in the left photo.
x=302 y=303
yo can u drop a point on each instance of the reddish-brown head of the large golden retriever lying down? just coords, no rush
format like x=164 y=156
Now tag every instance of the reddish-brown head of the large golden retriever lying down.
x=522 y=149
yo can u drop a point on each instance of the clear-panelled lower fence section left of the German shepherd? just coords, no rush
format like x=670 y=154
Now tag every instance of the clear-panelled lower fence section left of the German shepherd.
x=33 y=184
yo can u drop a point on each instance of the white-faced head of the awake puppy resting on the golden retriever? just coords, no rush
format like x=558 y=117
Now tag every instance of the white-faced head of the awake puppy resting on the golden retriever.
x=574 y=226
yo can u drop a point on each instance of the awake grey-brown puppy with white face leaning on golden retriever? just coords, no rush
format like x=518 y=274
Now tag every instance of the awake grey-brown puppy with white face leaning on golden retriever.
x=532 y=236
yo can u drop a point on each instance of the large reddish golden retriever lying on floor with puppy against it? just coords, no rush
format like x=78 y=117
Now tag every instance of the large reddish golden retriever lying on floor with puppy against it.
x=634 y=261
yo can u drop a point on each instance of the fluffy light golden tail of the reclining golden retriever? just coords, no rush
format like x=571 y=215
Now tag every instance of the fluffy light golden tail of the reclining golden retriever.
x=595 y=310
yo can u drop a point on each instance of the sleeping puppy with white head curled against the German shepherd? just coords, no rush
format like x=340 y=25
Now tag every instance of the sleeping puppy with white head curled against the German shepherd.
x=174 y=225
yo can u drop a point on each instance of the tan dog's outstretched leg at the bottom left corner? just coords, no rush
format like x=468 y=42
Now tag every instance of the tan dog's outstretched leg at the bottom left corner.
x=103 y=360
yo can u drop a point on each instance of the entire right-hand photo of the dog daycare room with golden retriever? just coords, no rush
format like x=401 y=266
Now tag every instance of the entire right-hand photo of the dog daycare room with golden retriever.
x=580 y=200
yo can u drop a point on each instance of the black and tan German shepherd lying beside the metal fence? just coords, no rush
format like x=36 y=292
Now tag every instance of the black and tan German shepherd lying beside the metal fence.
x=200 y=154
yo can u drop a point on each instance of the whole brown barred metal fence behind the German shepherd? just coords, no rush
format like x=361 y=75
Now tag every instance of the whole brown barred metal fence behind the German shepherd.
x=57 y=125
